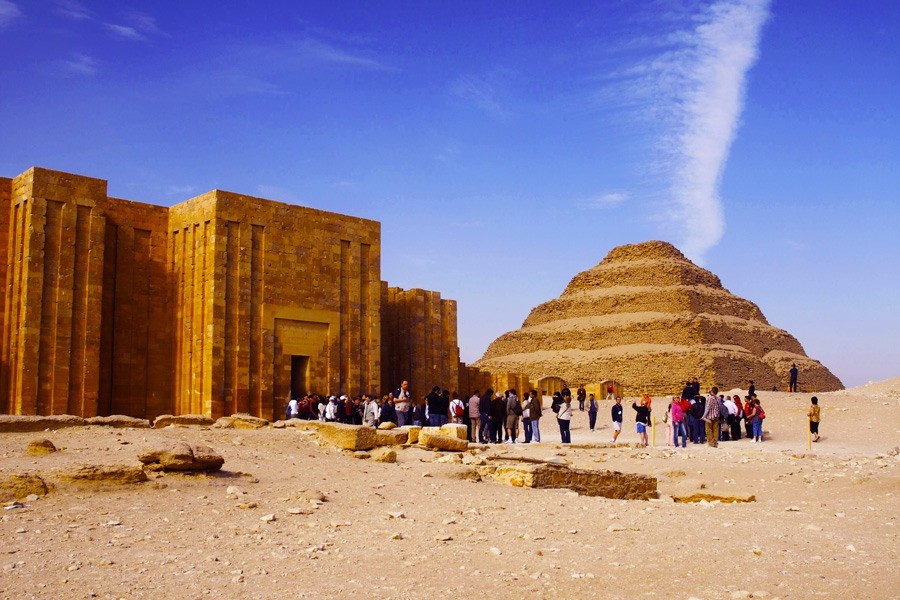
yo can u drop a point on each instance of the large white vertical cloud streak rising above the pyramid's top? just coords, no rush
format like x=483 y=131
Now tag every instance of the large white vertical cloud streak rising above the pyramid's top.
x=702 y=84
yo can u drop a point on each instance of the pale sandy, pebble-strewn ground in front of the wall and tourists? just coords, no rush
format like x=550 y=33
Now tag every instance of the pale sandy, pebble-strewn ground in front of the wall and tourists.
x=824 y=523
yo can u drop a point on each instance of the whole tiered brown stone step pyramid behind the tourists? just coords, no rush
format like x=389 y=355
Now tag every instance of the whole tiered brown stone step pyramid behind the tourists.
x=650 y=319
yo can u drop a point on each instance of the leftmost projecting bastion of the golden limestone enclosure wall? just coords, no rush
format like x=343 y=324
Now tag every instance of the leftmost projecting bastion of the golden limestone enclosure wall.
x=53 y=301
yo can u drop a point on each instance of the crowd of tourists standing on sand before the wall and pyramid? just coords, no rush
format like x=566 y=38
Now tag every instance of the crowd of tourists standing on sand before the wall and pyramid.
x=503 y=417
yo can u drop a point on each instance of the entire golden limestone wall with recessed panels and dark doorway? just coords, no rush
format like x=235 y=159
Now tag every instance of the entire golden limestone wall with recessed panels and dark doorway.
x=221 y=304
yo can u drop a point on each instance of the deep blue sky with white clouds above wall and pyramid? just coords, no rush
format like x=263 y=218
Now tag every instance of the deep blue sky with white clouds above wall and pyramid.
x=506 y=146
